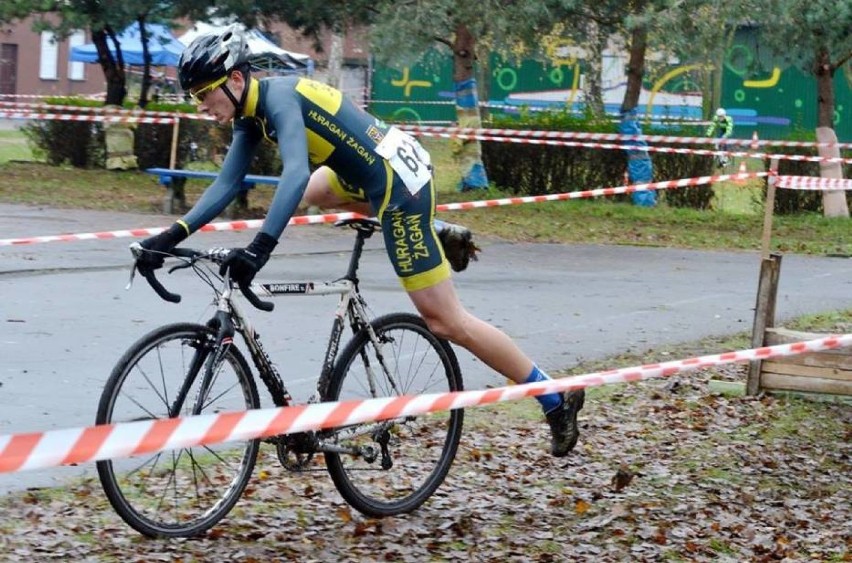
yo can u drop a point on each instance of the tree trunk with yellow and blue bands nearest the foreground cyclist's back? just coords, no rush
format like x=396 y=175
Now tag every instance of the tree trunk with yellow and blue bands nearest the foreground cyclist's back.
x=469 y=153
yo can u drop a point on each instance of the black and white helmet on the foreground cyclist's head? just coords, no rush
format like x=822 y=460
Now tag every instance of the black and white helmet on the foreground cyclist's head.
x=212 y=56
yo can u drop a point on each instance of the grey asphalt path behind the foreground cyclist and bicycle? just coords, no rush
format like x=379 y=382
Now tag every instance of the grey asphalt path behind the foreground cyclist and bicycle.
x=66 y=317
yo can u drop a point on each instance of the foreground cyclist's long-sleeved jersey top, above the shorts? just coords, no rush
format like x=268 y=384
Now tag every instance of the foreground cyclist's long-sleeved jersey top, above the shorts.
x=311 y=122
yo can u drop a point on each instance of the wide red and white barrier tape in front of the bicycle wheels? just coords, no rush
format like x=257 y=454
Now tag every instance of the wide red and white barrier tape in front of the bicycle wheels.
x=38 y=450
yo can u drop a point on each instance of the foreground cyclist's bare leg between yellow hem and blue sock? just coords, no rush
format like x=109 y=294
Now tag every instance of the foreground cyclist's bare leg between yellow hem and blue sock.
x=444 y=314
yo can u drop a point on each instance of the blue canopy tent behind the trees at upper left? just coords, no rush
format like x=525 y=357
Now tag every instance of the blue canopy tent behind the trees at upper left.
x=163 y=48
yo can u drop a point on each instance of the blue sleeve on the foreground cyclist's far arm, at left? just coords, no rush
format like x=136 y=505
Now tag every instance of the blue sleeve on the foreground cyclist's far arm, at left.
x=229 y=181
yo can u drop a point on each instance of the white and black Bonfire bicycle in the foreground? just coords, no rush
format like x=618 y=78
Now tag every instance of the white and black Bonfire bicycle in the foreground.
x=381 y=469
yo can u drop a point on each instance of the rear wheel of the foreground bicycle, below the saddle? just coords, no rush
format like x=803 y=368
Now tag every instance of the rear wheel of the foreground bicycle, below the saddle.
x=423 y=448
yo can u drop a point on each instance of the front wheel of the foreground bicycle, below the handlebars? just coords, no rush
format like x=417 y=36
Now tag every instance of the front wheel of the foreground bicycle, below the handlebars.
x=142 y=386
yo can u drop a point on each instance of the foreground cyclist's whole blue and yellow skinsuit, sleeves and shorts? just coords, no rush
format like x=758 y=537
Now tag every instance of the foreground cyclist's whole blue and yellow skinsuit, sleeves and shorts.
x=316 y=124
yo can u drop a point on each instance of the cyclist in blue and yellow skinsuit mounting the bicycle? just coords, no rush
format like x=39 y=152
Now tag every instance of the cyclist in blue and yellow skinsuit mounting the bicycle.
x=366 y=166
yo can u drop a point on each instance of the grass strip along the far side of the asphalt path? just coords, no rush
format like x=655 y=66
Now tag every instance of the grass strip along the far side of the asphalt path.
x=733 y=225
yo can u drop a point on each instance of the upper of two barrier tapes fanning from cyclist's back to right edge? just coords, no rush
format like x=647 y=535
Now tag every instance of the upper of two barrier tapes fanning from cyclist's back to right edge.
x=608 y=136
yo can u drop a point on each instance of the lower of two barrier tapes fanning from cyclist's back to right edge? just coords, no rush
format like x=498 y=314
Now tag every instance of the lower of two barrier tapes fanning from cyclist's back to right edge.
x=610 y=146
